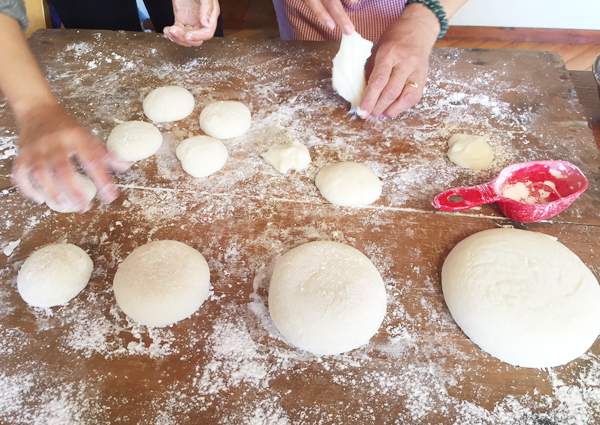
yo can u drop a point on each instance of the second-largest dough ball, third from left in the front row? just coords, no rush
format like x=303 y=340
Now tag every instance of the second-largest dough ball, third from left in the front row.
x=326 y=297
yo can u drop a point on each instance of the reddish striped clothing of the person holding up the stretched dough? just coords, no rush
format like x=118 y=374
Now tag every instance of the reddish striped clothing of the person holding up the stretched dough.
x=370 y=17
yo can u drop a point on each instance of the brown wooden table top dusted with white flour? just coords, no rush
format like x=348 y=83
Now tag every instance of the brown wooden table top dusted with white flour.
x=86 y=363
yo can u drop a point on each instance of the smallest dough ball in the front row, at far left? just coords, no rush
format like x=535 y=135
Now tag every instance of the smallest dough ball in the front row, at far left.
x=54 y=274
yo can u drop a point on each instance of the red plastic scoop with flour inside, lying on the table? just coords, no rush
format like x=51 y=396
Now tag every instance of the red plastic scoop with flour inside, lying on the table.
x=527 y=192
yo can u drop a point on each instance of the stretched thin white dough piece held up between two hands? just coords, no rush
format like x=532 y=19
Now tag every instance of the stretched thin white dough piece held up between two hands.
x=348 y=74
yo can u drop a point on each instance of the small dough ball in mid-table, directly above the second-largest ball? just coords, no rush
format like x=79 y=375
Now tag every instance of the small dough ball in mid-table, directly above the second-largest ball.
x=348 y=184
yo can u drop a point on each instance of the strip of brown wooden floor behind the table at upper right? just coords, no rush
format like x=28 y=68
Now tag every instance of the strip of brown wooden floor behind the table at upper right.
x=578 y=57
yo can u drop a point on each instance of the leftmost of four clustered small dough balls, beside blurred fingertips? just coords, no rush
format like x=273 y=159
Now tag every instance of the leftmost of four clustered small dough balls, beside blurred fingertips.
x=134 y=140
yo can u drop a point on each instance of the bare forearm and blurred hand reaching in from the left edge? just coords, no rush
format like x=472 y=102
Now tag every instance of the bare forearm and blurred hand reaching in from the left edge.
x=49 y=138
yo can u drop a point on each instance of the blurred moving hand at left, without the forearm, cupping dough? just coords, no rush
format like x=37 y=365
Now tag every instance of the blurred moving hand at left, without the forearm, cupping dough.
x=49 y=140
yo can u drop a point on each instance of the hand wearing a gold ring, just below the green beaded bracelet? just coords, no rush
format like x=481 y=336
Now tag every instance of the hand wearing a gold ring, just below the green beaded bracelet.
x=397 y=70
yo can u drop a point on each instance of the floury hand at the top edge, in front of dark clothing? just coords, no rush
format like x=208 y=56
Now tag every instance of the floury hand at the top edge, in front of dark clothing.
x=195 y=22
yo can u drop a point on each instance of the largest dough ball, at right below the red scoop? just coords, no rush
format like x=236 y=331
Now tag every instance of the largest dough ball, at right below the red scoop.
x=522 y=296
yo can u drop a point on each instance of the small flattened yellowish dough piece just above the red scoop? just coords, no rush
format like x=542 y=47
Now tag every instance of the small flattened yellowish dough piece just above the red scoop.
x=469 y=151
